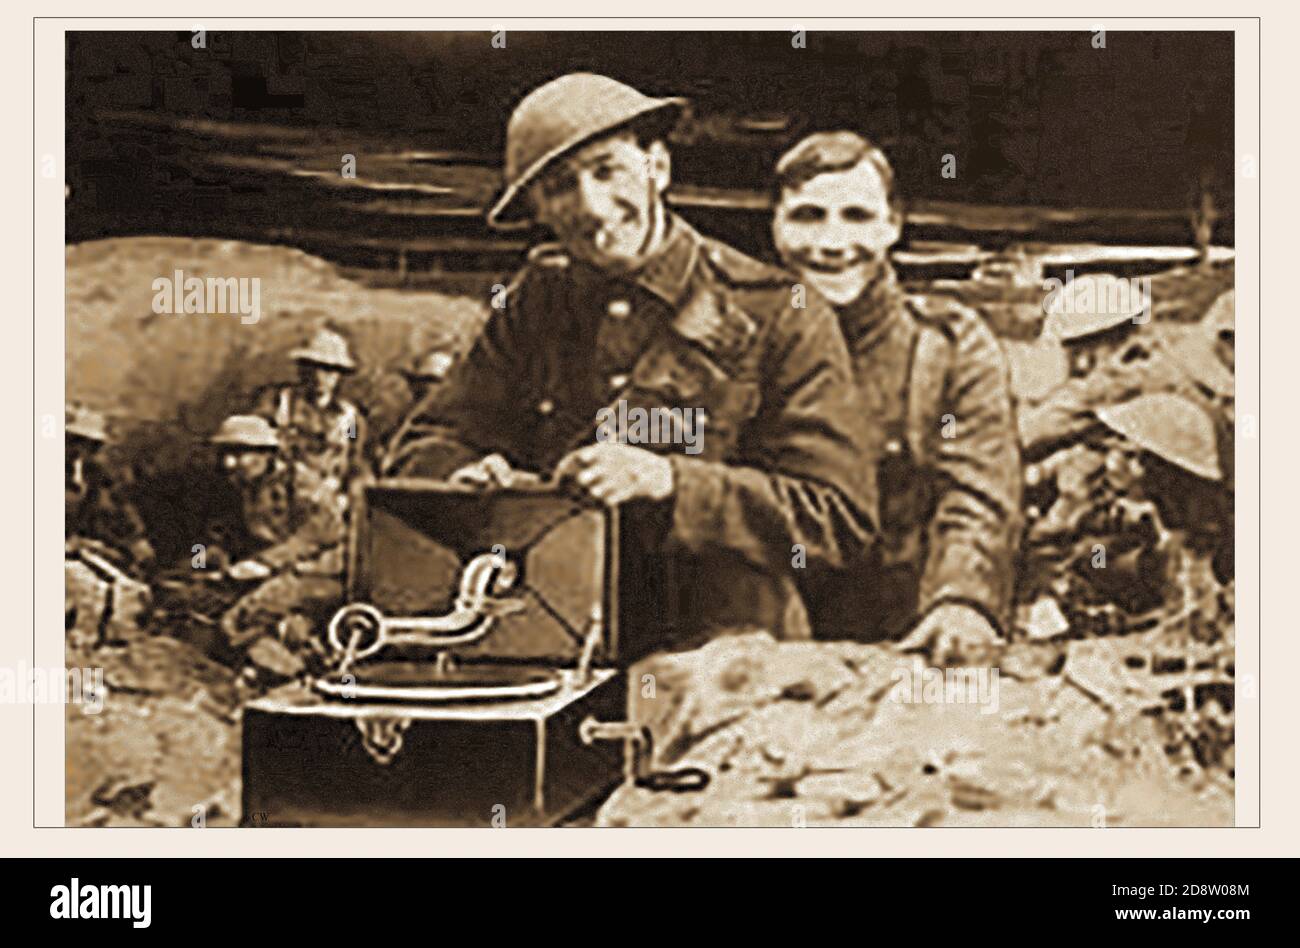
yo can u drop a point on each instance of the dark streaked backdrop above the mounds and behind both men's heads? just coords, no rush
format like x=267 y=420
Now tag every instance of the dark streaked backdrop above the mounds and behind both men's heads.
x=246 y=137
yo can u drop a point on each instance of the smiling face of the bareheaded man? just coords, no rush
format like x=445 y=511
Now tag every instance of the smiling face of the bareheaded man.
x=837 y=230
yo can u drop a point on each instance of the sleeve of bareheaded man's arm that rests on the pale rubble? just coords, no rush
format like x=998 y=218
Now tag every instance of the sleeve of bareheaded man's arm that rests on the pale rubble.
x=977 y=521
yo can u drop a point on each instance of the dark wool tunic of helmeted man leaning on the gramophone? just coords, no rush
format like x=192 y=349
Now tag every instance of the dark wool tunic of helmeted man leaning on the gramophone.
x=781 y=477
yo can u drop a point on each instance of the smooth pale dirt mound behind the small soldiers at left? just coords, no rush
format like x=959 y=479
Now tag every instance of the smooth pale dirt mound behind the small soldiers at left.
x=136 y=365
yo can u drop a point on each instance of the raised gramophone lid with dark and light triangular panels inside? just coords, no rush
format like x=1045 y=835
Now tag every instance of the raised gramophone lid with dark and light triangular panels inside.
x=414 y=538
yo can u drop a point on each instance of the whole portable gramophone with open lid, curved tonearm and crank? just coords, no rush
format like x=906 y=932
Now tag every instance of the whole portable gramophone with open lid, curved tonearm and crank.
x=475 y=672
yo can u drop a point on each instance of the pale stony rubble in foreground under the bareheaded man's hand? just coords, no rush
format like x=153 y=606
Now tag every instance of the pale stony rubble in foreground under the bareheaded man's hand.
x=800 y=734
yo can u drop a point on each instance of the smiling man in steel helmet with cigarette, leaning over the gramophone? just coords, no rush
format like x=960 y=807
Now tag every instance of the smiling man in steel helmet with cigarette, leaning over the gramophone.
x=634 y=306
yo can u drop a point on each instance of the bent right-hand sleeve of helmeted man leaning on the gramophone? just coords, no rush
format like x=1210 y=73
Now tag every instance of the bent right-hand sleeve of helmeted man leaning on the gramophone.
x=807 y=479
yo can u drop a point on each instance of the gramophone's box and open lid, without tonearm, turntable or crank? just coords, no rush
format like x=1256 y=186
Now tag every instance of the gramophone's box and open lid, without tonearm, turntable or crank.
x=310 y=760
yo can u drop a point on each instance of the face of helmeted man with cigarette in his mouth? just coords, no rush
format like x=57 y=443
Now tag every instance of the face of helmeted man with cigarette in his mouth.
x=604 y=201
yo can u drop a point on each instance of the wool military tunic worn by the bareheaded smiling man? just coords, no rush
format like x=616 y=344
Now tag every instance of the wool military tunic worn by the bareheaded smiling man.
x=934 y=383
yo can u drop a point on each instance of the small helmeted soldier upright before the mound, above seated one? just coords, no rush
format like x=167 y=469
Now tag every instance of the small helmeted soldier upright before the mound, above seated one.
x=320 y=434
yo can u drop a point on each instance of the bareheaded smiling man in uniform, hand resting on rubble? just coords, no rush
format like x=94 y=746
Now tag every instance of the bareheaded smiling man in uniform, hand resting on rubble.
x=933 y=378
